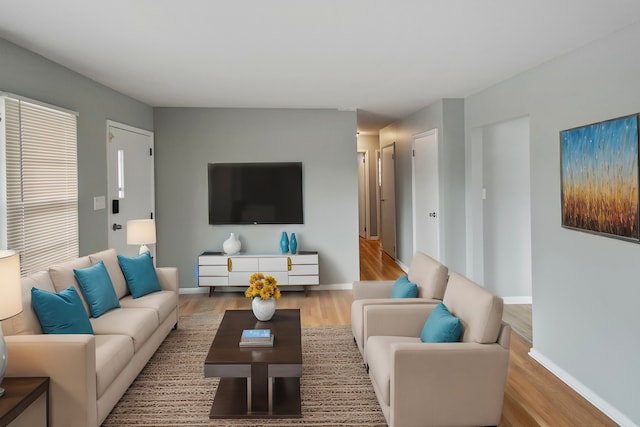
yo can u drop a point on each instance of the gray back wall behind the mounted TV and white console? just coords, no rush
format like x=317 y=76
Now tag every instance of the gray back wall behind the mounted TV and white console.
x=186 y=139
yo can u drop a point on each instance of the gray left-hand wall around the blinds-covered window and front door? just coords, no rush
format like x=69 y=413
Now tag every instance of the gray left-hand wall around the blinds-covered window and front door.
x=24 y=73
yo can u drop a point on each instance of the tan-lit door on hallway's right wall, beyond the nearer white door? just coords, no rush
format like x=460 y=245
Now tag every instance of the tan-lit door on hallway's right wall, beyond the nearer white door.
x=388 y=200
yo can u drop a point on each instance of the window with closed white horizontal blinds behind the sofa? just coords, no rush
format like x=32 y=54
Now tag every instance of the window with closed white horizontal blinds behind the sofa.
x=39 y=198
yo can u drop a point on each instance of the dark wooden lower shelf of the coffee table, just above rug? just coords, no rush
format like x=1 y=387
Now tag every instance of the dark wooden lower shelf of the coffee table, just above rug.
x=230 y=400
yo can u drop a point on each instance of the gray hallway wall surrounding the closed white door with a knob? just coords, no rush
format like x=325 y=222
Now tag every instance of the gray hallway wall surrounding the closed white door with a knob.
x=447 y=116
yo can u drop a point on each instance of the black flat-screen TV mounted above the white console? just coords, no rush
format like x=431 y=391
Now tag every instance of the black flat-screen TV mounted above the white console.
x=255 y=193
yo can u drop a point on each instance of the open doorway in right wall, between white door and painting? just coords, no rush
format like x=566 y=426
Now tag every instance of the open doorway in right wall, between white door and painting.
x=506 y=208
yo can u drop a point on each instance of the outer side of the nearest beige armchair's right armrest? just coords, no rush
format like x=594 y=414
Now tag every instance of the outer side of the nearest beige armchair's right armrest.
x=466 y=383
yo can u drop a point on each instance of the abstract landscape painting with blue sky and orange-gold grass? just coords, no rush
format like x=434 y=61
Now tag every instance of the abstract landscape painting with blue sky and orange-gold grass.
x=599 y=174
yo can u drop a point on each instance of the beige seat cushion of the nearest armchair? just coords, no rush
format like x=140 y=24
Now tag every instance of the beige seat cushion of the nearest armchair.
x=380 y=363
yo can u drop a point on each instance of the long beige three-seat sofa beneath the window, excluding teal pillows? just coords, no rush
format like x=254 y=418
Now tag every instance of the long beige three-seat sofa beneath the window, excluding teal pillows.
x=90 y=373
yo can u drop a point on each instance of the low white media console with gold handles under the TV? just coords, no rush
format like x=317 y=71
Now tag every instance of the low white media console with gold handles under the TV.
x=219 y=269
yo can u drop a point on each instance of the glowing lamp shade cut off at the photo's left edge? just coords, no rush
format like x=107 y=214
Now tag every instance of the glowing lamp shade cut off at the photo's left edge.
x=10 y=284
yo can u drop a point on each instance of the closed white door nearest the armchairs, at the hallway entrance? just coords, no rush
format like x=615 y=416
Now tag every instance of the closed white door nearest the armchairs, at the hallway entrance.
x=426 y=194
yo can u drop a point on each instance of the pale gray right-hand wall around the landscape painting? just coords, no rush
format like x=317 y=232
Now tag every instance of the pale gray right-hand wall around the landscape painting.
x=585 y=287
